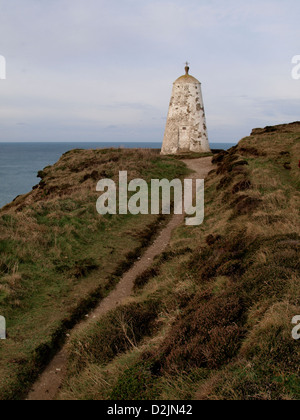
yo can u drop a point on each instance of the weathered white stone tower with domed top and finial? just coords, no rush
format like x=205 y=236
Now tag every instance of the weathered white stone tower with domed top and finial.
x=186 y=129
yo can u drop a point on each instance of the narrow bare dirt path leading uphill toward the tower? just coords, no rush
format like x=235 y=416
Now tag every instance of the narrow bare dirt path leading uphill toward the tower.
x=50 y=381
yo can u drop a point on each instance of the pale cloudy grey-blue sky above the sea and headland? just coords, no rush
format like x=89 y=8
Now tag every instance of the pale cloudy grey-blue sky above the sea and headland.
x=102 y=70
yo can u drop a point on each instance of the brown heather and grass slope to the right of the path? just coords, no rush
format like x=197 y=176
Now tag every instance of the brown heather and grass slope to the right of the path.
x=211 y=319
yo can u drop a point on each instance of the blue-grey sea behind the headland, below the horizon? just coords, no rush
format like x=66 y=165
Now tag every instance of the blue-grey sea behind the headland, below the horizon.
x=20 y=162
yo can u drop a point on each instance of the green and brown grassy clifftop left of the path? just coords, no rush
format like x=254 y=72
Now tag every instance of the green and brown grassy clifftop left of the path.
x=59 y=257
